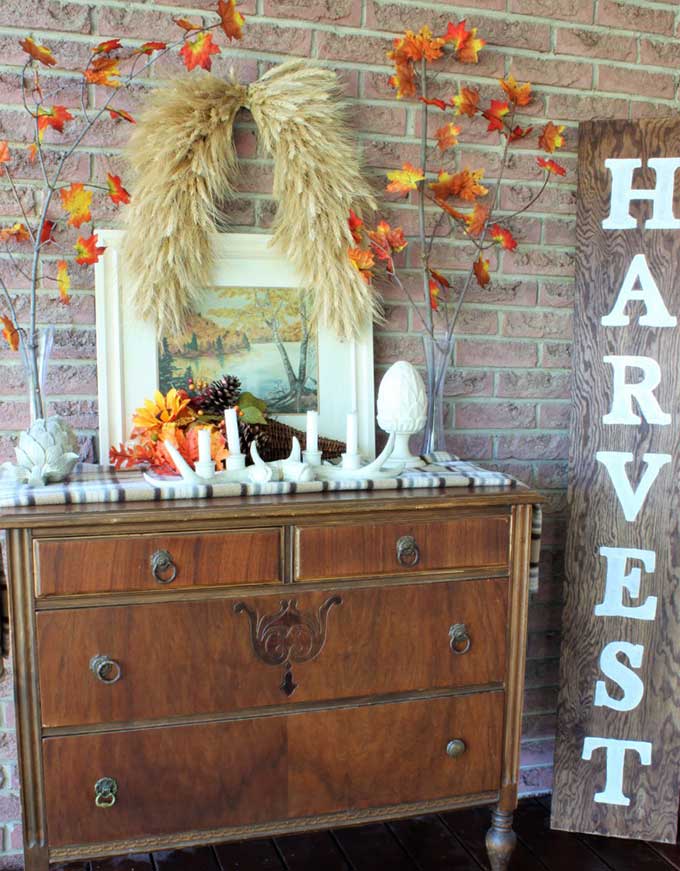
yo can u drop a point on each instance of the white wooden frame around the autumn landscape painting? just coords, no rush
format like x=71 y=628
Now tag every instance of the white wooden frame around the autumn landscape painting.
x=127 y=347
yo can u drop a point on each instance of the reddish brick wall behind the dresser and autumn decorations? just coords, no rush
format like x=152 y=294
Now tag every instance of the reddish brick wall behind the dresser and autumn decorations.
x=508 y=394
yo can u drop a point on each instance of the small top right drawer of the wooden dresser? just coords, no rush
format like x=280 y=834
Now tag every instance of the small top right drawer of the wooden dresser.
x=373 y=549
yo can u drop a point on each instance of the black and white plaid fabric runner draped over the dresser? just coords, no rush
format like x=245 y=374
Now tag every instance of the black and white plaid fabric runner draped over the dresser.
x=91 y=484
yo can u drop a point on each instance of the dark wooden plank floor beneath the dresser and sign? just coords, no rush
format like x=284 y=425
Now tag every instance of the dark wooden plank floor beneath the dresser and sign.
x=443 y=842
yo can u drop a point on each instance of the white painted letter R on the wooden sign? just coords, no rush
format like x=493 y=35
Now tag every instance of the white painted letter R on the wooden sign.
x=642 y=391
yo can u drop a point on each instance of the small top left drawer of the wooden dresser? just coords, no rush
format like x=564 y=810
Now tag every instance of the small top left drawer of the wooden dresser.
x=148 y=562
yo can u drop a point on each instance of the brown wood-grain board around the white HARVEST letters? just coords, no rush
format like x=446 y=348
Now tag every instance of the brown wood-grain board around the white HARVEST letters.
x=603 y=259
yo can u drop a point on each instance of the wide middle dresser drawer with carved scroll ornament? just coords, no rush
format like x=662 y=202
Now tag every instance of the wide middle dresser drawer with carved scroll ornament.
x=177 y=659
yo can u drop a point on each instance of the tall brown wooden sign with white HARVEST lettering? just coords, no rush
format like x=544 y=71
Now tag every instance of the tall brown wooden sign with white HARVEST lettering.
x=617 y=761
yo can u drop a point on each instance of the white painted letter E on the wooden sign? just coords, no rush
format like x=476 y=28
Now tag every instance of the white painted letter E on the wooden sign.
x=617 y=581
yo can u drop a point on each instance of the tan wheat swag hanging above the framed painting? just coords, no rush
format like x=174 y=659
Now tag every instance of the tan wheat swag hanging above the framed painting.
x=184 y=161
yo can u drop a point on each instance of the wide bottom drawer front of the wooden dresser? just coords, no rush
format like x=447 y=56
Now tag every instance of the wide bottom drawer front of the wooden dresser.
x=218 y=775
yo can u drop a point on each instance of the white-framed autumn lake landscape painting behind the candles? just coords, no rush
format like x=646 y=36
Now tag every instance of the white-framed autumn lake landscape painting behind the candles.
x=253 y=322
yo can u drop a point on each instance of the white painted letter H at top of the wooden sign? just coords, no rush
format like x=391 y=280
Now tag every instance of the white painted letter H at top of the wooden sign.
x=623 y=192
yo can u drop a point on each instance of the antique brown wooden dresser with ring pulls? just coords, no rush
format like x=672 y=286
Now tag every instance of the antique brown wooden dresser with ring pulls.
x=203 y=671
